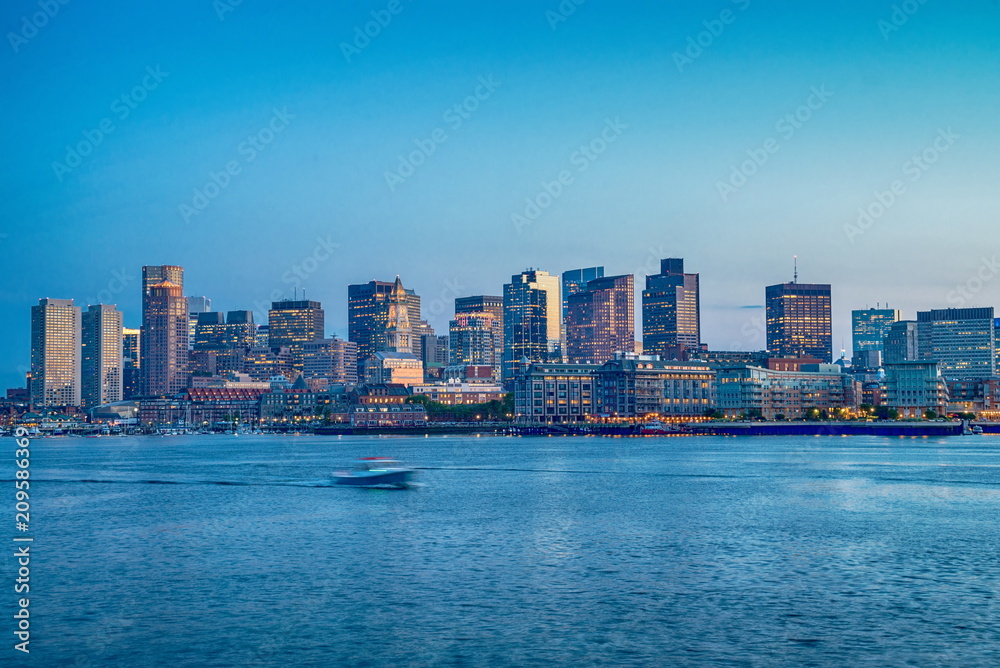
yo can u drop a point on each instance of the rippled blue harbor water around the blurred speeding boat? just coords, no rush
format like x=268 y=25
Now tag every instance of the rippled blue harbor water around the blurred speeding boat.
x=234 y=551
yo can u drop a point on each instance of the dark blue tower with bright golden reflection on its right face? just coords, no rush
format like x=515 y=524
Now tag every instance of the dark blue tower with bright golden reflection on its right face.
x=532 y=315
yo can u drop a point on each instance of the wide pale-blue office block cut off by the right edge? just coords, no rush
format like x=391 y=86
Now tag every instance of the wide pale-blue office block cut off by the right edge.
x=961 y=340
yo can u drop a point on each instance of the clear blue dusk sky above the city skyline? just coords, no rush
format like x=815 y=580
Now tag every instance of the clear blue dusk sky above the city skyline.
x=315 y=198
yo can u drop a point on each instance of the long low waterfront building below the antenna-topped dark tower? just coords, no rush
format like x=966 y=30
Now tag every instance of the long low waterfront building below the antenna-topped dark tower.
x=790 y=394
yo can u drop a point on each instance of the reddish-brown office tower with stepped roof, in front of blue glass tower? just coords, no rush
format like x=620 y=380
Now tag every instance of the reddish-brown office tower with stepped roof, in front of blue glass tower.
x=601 y=320
